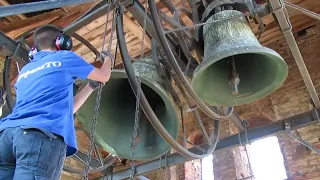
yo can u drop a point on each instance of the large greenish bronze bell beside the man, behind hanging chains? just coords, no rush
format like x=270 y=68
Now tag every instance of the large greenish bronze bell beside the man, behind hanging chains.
x=117 y=114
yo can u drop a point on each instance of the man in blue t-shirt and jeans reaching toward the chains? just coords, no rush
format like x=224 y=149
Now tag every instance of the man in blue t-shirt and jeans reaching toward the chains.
x=37 y=136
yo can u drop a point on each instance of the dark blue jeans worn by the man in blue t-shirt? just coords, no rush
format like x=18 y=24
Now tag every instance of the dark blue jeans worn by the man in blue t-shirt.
x=30 y=154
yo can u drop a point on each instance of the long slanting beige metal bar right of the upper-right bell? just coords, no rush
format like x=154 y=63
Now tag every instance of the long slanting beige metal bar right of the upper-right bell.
x=286 y=28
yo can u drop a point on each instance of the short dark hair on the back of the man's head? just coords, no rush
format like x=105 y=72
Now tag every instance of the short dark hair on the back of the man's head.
x=45 y=37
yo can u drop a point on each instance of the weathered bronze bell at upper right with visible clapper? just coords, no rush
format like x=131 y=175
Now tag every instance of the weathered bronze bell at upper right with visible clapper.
x=236 y=69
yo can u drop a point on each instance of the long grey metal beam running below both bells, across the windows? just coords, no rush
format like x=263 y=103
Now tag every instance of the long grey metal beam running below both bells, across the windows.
x=297 y=121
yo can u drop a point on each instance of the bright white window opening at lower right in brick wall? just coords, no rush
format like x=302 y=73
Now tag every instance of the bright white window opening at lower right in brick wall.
x=267 y=160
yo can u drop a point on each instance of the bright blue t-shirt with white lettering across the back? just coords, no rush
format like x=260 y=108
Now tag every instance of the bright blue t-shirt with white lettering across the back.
x=44 y=94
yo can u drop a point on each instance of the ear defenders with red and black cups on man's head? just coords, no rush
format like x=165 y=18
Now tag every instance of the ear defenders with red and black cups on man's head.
x=63 y=42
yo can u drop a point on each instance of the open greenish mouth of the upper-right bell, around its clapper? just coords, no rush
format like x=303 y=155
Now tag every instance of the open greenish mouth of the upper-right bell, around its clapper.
x=261 y=71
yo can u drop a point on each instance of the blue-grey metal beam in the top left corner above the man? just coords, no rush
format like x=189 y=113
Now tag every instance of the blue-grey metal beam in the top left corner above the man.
x=23 y=8
